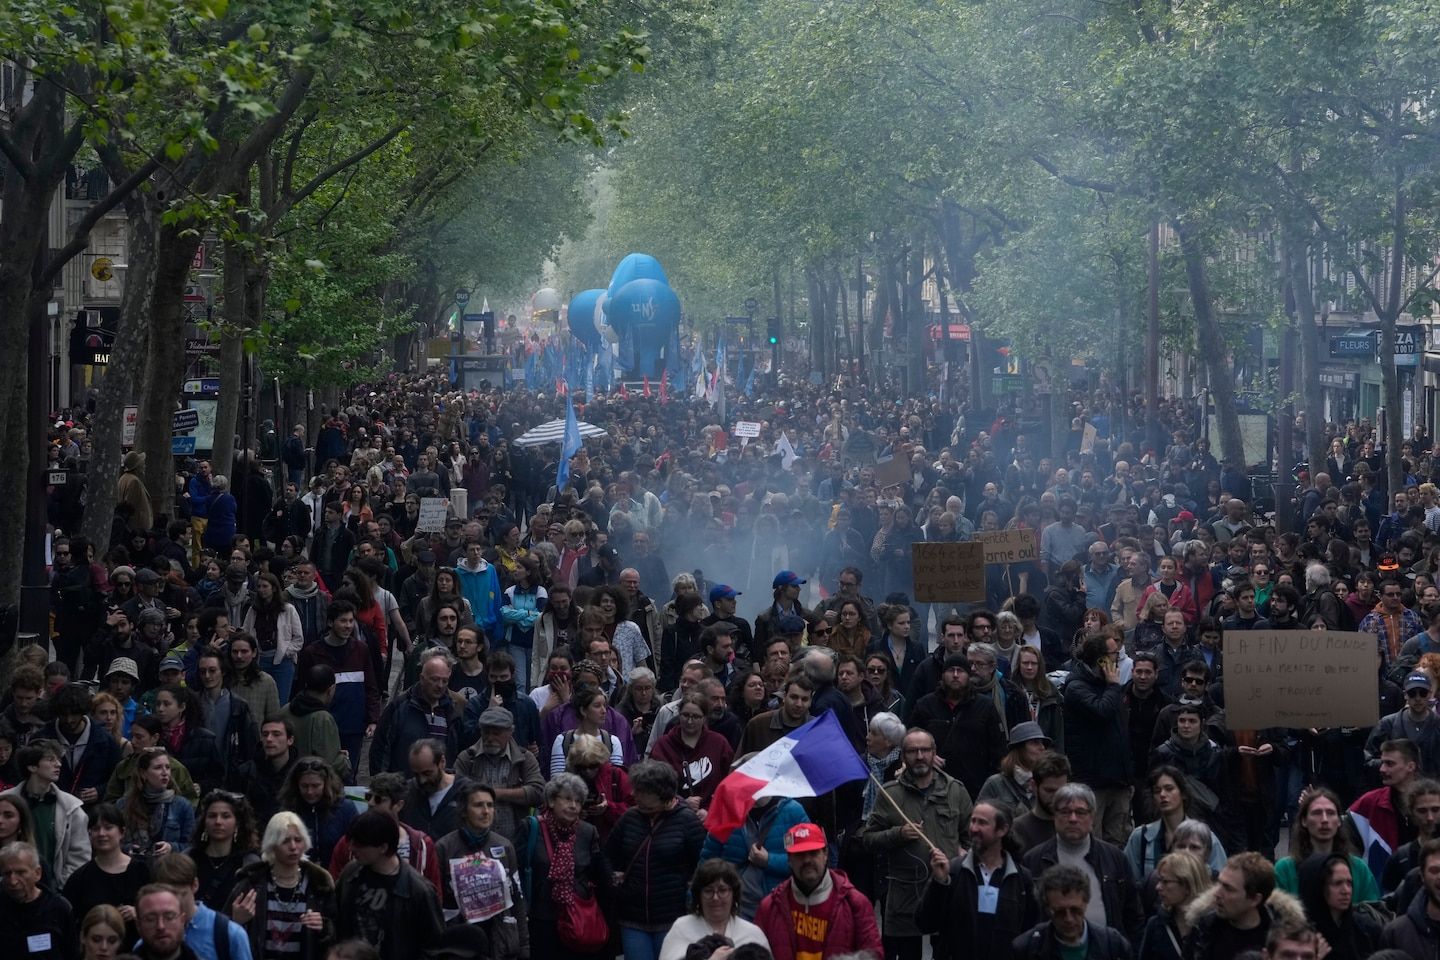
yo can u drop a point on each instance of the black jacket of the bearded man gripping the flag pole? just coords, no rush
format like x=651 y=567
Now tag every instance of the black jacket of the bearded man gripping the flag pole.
x=953 y=912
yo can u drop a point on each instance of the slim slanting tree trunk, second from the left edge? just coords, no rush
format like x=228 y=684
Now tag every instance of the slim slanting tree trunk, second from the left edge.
x=127 y=361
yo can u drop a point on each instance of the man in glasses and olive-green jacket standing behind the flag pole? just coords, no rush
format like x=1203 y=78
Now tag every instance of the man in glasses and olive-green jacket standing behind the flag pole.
x=927 y=810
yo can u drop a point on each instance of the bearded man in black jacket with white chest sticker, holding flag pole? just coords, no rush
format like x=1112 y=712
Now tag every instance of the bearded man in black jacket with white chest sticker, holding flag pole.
x=981 y=900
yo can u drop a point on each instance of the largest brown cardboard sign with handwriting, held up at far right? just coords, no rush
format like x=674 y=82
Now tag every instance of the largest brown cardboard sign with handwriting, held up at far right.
x=1301 y=679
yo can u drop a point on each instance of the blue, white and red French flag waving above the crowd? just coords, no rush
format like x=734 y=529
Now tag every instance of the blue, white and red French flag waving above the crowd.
x=811 y=761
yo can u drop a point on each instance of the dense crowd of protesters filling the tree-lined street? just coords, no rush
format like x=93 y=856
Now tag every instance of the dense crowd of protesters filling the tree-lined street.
x=289 y=723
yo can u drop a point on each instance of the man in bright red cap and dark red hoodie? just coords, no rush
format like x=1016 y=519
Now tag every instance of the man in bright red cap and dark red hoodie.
x=817 y=913
